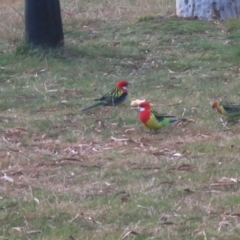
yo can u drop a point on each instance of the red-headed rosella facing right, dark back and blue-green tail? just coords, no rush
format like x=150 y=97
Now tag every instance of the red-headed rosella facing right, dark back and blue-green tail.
x=113 y=97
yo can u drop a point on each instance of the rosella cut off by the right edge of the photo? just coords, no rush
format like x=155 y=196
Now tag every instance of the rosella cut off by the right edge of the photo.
x=227 y=109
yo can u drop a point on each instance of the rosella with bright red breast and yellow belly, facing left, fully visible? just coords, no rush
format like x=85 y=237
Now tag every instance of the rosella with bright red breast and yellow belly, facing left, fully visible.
x=152 y=120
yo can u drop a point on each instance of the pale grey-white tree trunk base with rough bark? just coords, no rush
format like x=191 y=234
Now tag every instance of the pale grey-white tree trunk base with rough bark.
x=208 y=9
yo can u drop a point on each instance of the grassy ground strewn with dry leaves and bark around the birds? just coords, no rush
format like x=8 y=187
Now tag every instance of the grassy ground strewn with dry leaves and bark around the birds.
x=100 y=174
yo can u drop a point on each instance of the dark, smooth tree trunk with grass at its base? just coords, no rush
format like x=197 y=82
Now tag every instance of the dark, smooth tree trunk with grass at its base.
x=43 y=23
